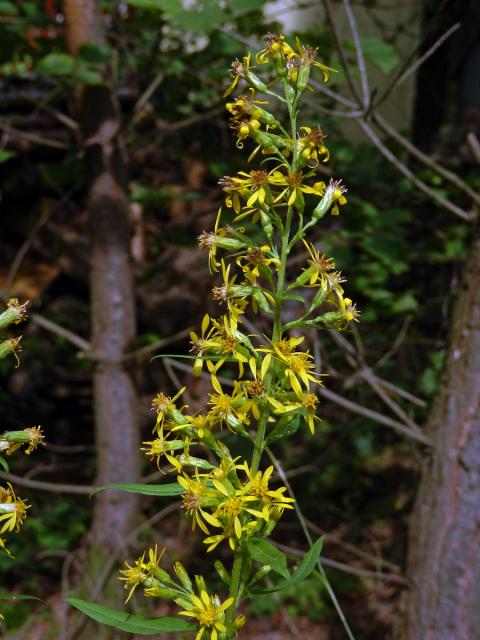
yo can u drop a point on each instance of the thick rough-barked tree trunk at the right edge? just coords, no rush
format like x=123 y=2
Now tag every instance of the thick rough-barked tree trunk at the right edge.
x=444 y=562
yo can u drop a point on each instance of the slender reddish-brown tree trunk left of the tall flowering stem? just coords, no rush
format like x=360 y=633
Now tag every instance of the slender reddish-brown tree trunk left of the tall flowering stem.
x=112 y=294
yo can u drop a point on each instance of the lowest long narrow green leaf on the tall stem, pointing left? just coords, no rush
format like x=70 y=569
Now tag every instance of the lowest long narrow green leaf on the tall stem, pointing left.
x=128 y=622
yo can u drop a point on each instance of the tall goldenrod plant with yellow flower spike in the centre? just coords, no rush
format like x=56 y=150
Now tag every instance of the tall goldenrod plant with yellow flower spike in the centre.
x=232 y=501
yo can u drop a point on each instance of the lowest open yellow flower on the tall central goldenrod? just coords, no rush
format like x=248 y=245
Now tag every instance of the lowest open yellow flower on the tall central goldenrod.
x=209 y=612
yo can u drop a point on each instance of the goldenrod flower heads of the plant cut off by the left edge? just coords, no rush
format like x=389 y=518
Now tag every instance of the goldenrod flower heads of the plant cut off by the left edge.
x=13 y=510
